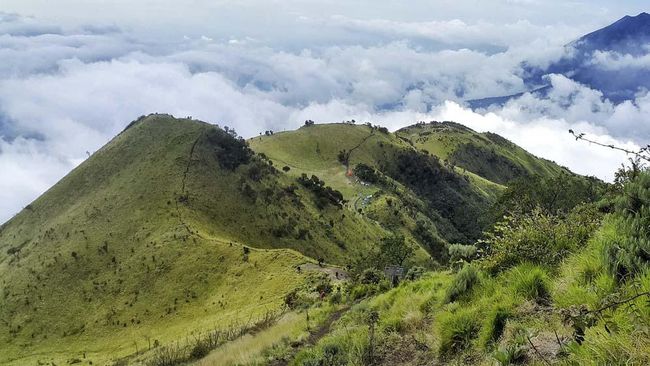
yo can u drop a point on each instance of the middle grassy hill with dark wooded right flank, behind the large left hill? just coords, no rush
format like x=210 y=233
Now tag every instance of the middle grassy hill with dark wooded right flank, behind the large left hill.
x=385 y=179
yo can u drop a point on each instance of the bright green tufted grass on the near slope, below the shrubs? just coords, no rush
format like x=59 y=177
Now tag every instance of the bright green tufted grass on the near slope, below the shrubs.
x=417 y=325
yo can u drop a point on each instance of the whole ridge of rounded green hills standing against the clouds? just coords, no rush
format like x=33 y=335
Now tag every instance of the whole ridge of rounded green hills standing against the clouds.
x=177 y=225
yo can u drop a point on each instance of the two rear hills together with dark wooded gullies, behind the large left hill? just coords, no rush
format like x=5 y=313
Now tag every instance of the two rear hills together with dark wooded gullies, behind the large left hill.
x=444 y=174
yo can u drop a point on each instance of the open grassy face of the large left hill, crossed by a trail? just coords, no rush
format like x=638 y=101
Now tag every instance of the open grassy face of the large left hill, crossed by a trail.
x=145 y=264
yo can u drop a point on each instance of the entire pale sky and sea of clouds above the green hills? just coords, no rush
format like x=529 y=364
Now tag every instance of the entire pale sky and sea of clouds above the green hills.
x=75 y=72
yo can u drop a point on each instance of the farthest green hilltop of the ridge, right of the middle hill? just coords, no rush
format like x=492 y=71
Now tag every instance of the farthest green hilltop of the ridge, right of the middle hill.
x=485 y=154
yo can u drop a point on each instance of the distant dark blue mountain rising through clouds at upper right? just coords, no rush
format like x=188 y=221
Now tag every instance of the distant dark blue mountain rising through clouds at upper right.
x=594 y=60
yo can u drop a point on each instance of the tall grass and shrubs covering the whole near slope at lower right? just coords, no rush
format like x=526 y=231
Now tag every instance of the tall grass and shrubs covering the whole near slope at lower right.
x=570 y=287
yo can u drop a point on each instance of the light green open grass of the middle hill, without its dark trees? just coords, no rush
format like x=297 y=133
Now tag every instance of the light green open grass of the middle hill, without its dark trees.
x=315 y=149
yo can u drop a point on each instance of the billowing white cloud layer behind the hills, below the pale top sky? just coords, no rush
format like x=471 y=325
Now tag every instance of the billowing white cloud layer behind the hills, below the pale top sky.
x=65 y=91
